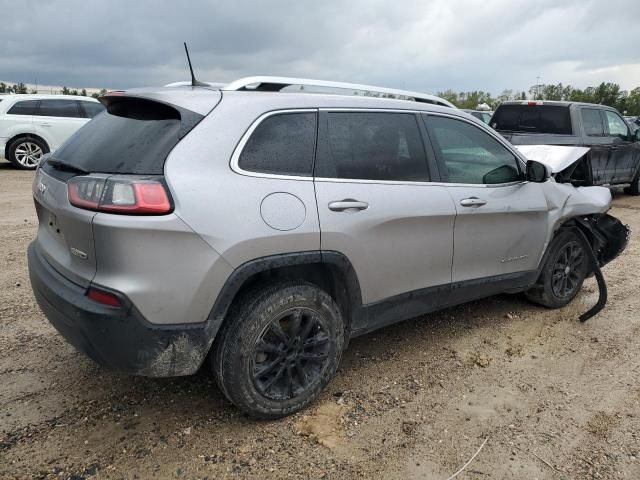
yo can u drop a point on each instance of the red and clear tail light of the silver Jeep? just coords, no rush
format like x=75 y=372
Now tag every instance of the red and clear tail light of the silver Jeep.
x=128 y=195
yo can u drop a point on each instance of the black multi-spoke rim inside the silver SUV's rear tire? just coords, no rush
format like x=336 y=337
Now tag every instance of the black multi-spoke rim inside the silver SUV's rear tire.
x=290 y=354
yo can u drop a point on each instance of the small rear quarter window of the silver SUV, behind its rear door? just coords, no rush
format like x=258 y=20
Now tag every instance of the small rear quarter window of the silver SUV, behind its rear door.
x=282 y=144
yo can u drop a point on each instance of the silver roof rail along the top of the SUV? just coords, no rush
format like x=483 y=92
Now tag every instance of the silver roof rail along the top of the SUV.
x=275 y=84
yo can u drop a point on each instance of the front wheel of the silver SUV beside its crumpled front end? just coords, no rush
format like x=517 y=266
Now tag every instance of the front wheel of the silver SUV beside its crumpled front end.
x=564 y=271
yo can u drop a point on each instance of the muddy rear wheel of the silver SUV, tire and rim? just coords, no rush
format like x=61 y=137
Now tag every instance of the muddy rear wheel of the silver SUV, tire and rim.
x=278 y=349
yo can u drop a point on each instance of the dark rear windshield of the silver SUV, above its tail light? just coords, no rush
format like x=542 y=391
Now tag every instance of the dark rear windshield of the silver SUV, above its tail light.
x=133 y=136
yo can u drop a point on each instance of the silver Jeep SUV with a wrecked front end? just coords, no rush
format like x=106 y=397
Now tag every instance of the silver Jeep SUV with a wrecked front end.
x=260 y=228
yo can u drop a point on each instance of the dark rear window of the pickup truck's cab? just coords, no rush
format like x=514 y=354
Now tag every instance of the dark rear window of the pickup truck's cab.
x=533 y=118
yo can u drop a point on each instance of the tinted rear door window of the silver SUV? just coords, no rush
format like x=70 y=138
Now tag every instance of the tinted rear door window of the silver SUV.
x=373 y=146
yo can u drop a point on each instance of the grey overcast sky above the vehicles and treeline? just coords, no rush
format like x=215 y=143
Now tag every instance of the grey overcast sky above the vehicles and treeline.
x=426 y=45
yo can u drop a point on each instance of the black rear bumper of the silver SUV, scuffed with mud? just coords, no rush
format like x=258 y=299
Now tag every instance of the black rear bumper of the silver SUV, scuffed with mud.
x=116 y=338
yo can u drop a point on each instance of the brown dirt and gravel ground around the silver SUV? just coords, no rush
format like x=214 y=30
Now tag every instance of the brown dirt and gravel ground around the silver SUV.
x=553 y=398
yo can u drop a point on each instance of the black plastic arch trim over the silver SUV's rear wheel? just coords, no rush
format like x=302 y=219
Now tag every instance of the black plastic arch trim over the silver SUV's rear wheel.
x=331 y=271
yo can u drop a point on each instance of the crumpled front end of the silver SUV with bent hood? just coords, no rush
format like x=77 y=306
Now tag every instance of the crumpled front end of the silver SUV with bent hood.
x=582 y=209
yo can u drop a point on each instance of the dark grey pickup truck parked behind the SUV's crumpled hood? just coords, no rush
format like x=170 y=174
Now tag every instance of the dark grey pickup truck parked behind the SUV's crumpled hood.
x=614 y=155
